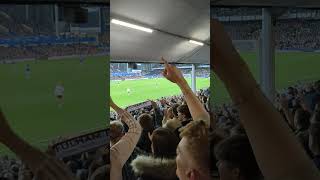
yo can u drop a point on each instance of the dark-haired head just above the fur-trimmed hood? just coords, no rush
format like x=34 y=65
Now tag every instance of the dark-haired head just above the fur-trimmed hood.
x=164 y=143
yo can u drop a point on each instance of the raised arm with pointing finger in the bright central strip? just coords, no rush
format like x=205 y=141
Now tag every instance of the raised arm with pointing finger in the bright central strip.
x=197 y=110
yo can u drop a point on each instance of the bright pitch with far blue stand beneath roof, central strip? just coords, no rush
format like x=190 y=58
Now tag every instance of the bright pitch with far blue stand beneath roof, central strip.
x=142 y=85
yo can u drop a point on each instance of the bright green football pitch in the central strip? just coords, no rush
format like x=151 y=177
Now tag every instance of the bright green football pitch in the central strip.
x=144 y=89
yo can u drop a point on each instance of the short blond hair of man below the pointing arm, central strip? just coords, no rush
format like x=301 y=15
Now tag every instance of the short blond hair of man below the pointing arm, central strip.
x=196 y=133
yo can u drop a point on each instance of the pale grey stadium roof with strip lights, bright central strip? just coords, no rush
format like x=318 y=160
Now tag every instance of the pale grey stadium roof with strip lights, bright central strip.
x=174 y=24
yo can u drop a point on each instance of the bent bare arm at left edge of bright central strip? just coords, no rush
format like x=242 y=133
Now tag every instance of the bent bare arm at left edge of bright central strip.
x=122 y=150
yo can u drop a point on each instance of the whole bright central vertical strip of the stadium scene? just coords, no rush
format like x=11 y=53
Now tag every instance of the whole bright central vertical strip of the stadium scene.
x=160 y=79
